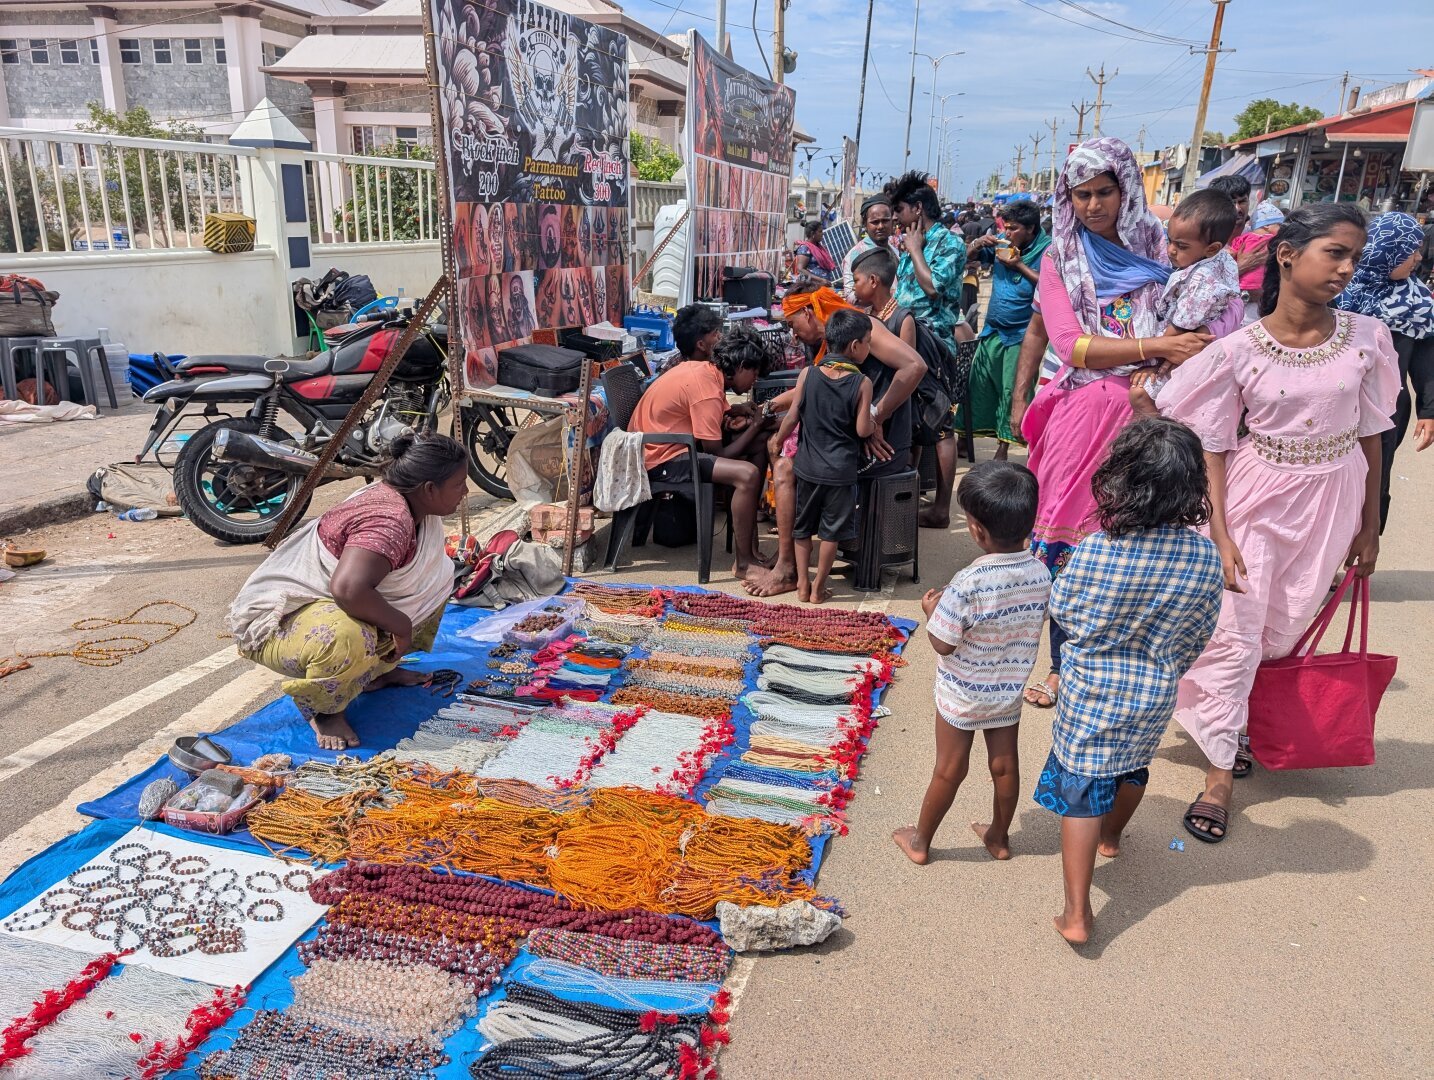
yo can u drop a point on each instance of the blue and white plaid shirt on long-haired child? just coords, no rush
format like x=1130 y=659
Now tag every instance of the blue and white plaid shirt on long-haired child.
x=1138 y=612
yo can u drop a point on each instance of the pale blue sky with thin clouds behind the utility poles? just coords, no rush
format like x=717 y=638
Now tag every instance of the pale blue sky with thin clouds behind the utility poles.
x=1026 y=65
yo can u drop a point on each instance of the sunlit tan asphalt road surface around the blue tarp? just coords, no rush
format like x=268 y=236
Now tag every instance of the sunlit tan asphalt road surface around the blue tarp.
x=1301 y=946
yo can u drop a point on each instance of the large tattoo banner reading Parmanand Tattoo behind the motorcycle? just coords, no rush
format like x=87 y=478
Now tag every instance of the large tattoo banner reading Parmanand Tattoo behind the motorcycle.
x=534 y=108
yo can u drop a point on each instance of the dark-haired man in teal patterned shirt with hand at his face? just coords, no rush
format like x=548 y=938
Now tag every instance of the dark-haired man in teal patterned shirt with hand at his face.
x=929 y=285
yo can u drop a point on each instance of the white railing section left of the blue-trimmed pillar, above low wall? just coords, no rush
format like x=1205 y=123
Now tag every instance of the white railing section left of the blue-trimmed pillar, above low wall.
x=78 y=193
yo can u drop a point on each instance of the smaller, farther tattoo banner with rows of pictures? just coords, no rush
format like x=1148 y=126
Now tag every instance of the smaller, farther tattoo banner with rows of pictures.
x=739 y=153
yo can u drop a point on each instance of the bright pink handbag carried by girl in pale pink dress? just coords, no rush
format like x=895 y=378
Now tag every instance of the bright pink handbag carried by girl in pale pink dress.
x=1317 y=712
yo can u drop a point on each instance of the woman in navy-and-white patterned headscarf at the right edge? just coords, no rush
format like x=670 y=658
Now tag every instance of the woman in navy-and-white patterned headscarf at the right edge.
x=1385 y=286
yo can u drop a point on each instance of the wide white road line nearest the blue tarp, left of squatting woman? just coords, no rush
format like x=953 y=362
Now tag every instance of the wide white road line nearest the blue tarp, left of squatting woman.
x=223 y=708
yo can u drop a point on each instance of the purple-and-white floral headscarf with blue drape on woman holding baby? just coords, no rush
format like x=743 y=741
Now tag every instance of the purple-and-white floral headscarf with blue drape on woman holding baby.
x=1135 y=269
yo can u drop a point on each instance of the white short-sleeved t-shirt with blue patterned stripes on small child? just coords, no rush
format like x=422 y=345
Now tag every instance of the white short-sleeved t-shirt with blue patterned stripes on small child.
x=993 y=613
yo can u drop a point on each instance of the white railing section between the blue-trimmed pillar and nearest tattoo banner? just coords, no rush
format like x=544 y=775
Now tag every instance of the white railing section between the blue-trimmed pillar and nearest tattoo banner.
x=356 y=200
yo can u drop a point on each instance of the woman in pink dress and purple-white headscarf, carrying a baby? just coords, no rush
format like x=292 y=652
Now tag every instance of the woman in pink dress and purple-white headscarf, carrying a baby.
x=1101 y=282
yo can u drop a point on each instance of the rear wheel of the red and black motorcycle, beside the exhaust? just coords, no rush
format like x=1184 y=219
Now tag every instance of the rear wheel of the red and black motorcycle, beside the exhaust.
x=232 y=501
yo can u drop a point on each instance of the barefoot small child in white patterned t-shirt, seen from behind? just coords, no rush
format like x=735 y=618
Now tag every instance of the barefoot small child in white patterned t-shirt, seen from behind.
x=986 y=627
